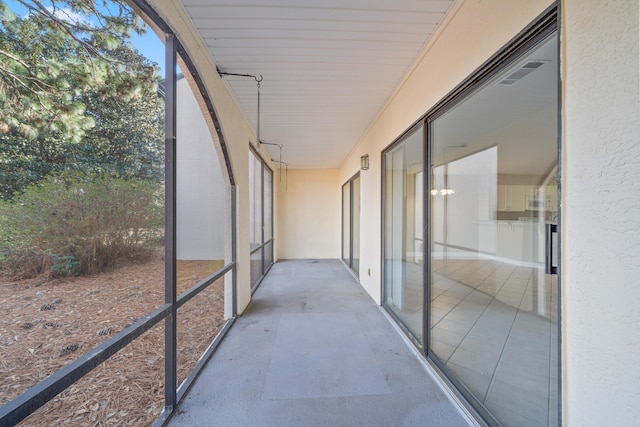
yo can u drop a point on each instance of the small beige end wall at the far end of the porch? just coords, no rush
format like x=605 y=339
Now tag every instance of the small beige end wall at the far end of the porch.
x=309 y=206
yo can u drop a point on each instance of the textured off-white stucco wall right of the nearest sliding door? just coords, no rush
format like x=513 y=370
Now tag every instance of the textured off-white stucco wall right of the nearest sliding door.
x=601 y=220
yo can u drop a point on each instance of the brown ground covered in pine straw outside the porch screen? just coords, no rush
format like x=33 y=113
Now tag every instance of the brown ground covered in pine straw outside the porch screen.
x=45 y=324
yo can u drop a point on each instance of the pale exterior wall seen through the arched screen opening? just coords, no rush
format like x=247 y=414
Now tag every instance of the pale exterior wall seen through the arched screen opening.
x=201 y=213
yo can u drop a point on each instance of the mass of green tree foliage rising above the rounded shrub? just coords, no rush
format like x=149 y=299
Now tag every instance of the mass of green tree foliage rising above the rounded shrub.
x=74 y=95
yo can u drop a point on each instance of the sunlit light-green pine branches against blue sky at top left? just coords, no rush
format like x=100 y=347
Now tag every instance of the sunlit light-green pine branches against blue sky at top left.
x=54 y=54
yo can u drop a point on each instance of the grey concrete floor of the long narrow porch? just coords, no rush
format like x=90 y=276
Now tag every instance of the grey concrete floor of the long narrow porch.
x=313 y=349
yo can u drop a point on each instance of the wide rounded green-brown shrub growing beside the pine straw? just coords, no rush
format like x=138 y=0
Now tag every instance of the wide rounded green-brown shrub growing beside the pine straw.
x=71 y=223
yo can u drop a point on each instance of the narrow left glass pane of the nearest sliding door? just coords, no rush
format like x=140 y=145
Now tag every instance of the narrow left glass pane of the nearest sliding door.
x=403 y=205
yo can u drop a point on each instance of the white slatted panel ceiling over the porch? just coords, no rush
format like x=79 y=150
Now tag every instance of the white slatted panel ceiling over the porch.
x=328 y=66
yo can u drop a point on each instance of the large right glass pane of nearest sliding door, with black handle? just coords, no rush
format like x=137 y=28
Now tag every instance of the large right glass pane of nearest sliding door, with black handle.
x=494 y=187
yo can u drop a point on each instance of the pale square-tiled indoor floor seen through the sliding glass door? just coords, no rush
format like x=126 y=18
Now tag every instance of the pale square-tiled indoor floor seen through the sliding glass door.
x=494 y=327
